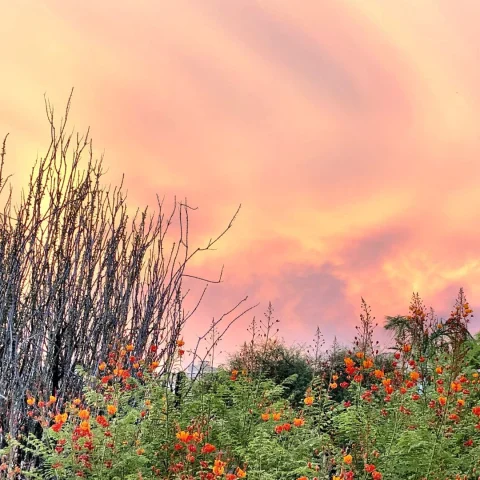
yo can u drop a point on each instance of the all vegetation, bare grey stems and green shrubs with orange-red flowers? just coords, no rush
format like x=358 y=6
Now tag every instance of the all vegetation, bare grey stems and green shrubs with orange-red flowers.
x=91 y=342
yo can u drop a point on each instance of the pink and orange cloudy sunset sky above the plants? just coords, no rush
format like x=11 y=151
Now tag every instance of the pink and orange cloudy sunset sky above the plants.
x=346 y=129
